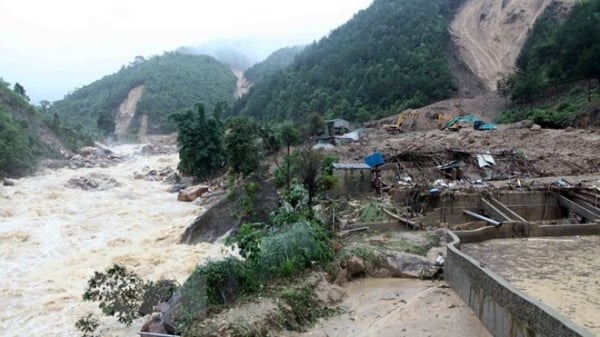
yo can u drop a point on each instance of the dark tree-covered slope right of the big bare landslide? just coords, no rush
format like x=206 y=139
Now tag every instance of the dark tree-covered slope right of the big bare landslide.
x=558 y=52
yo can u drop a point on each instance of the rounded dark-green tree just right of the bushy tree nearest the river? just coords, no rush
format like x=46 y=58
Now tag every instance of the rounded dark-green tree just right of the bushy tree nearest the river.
x=242 y=145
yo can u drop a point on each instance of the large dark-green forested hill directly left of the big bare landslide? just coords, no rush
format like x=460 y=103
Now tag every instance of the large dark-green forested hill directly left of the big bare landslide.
x=388 y=57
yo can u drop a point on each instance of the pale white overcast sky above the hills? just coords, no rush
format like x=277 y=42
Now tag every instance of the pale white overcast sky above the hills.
x=52 y=47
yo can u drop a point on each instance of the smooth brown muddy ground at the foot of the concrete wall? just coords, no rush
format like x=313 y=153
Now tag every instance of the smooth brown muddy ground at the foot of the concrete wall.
x=399 y=308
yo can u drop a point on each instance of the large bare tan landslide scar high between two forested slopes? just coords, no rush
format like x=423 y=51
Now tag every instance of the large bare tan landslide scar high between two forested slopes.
x=489 y=34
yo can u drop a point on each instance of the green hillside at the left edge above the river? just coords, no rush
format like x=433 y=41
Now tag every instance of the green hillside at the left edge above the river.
x=25 y=133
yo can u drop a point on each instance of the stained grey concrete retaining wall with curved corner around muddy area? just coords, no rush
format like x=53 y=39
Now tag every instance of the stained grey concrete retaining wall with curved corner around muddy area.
x=504 y=310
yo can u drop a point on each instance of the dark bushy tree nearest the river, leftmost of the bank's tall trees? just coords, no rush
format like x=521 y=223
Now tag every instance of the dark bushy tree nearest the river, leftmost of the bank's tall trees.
x=201 y=142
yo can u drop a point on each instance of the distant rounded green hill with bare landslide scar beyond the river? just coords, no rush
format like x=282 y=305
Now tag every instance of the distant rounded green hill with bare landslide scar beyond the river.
x=172 y=82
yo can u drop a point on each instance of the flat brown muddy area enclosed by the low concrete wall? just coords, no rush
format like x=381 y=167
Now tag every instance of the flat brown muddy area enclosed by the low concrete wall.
x=562 y=272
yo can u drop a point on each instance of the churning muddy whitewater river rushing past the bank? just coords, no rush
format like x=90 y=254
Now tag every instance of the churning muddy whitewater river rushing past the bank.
x=53 y=238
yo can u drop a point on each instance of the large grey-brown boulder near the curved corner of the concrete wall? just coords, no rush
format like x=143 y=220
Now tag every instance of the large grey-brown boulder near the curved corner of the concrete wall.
x=408 y=265
